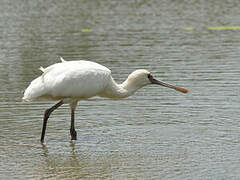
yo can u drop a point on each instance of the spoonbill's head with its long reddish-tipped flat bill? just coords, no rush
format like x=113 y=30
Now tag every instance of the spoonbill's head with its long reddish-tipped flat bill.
x=142 y=77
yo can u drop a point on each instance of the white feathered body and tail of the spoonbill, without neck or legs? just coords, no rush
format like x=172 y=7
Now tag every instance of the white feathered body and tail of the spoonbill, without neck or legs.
x=73 y=79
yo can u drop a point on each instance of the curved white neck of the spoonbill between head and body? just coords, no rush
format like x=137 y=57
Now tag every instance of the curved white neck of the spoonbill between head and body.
x=119 y=91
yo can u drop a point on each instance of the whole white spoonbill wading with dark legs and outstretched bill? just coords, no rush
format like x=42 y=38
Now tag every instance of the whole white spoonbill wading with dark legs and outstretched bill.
x=71 y=81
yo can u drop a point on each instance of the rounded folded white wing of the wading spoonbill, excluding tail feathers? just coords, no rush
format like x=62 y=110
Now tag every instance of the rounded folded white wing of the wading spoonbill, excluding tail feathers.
x=81 y=79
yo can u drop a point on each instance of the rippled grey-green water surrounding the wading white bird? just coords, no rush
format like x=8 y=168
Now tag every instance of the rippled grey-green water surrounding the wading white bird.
x=157 y=133
